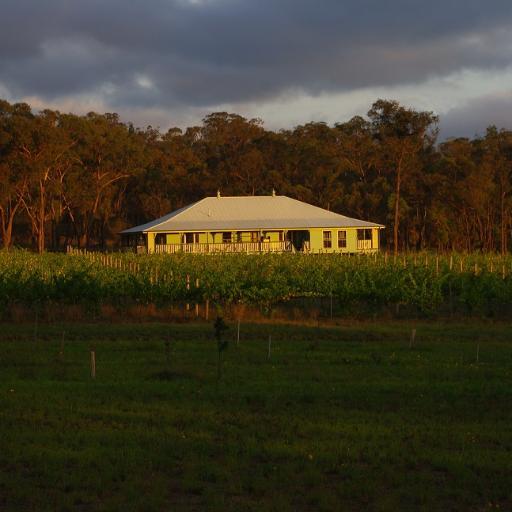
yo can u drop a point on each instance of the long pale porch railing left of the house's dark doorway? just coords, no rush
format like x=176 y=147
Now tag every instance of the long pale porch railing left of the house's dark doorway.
x=247 y=247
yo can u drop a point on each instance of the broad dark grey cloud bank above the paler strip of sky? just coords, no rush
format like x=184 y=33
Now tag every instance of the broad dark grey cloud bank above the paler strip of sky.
x=177 y=52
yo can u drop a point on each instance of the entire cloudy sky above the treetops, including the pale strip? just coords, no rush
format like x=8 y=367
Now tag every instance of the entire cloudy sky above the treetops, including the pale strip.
x=171 y=62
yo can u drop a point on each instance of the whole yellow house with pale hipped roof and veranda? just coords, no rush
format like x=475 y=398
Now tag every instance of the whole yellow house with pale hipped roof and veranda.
x=253 y=224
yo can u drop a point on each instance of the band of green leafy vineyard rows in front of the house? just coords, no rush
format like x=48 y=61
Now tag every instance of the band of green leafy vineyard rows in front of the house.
x=426 y=283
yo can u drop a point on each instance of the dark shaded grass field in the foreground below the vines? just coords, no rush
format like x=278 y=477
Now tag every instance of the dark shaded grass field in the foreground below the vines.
x=340 y=418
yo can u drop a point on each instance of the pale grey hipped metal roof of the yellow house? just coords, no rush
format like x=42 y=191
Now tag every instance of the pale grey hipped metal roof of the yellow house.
x=248 y=213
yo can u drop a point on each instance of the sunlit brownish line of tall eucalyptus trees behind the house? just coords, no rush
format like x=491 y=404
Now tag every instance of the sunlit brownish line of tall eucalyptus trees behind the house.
x=79 y=180
